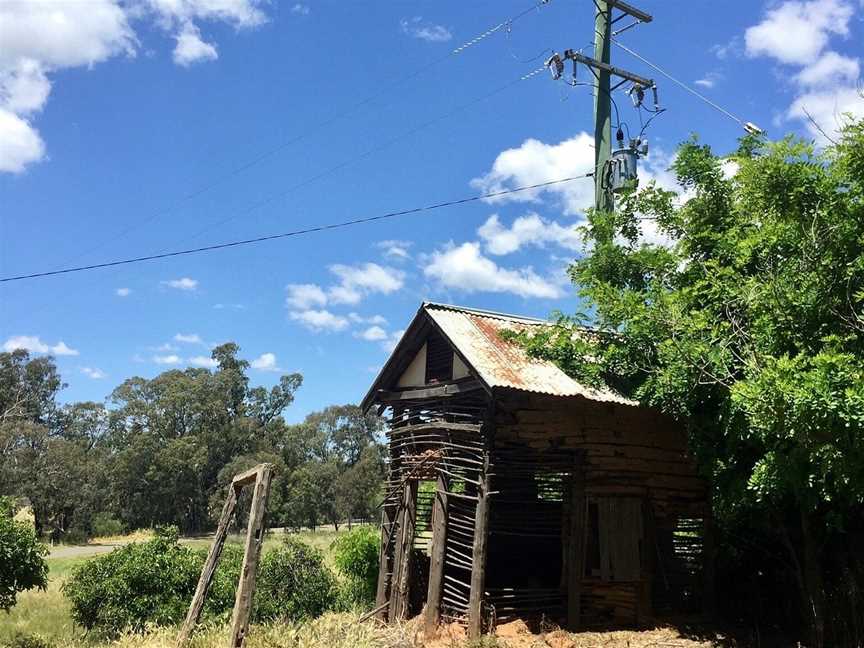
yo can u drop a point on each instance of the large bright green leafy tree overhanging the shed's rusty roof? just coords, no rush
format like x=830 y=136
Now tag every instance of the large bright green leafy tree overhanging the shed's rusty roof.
x=749 y=325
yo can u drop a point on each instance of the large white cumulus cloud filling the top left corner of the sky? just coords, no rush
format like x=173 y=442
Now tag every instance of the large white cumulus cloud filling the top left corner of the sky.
x=40 y=37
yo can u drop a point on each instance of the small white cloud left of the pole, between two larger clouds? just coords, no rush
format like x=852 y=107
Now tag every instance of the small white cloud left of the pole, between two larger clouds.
x=526 y=230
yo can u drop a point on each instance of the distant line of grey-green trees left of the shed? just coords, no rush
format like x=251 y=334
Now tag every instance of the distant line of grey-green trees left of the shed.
x=163 y=450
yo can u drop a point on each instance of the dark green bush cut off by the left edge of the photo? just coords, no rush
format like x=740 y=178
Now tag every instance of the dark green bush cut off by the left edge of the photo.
x=22 y=557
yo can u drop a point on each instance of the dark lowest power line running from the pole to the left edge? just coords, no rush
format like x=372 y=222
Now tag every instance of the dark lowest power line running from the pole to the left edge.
x=309 y=230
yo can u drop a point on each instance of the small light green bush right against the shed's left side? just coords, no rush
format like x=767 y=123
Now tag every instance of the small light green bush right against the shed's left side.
x=356 y=558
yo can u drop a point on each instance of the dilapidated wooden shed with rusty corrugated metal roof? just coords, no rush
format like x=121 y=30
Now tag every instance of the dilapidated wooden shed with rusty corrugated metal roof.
x=515 y=491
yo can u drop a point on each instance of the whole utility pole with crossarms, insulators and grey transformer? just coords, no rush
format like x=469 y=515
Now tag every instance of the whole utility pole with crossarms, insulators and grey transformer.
x=612 y=171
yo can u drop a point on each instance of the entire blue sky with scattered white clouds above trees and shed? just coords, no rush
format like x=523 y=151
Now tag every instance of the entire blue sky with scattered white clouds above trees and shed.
x=113 y=114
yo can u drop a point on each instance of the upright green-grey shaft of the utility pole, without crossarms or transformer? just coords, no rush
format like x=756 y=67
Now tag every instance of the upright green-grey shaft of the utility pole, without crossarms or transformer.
x=603 y=200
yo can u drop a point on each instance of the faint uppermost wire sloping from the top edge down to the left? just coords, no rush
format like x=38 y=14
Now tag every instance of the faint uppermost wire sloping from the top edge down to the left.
x=218 y=180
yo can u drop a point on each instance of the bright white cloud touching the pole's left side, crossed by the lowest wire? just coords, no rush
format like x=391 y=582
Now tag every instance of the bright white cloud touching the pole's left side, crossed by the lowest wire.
x=534 y=162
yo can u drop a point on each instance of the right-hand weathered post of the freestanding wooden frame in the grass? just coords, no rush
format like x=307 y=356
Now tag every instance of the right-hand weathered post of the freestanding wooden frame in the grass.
x=251 y=555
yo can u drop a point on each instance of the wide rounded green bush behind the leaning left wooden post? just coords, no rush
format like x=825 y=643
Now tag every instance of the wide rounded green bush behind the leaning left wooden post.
x=147 y=583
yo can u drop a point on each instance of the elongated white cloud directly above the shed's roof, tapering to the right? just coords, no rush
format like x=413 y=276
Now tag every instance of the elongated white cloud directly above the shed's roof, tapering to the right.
x=464 y=268
